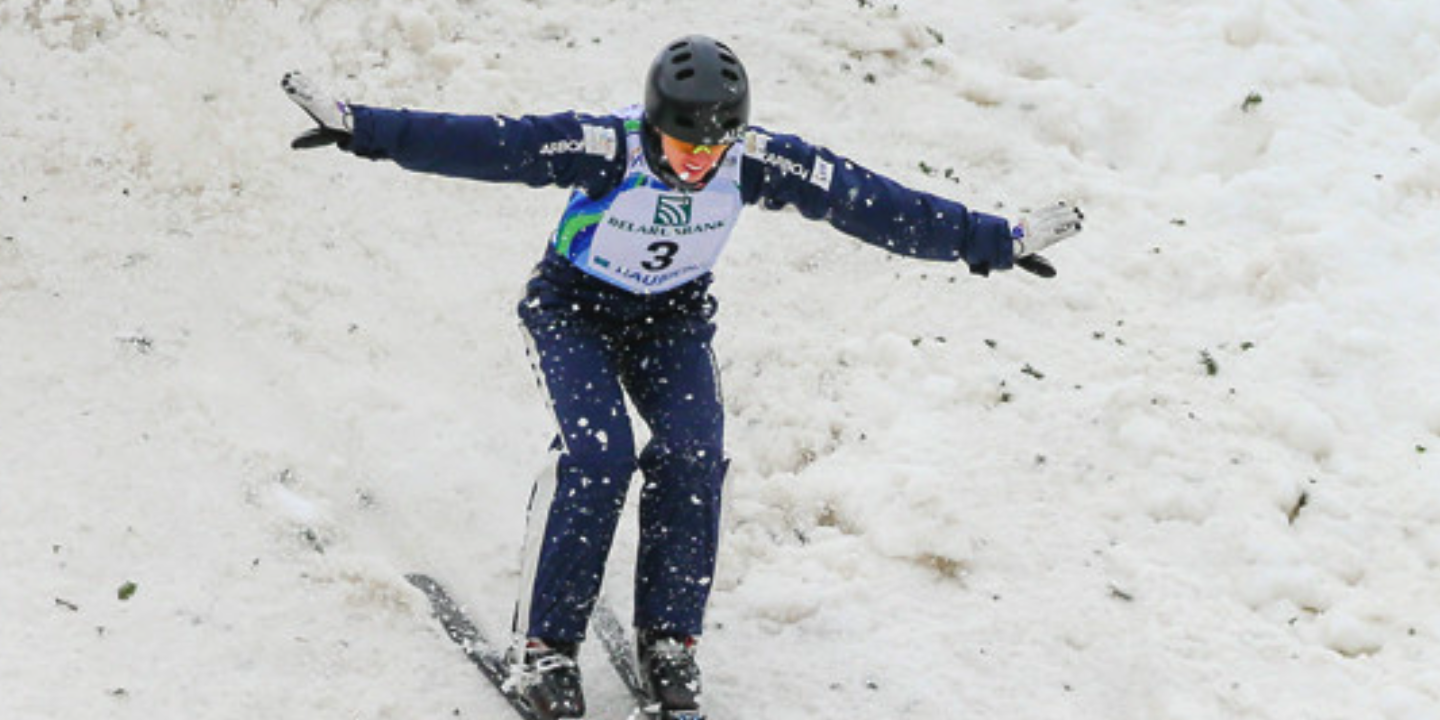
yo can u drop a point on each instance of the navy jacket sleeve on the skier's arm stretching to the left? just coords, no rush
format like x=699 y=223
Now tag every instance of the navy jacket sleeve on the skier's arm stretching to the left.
x=538 y=150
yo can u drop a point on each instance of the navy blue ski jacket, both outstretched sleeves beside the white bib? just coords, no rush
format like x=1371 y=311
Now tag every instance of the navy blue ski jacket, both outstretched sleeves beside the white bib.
x=551 y=150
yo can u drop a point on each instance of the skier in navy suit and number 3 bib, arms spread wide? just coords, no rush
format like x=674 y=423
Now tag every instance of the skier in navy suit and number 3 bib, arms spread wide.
x=620 y=306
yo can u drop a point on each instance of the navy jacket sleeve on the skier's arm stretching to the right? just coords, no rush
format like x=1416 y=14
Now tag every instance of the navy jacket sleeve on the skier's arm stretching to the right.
x=784 y=171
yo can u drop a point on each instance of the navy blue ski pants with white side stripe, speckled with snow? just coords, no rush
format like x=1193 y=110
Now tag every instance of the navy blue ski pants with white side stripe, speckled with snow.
x=593 y=348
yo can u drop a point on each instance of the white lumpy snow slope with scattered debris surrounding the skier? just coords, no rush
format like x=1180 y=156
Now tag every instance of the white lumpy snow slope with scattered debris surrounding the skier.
x=246 y=390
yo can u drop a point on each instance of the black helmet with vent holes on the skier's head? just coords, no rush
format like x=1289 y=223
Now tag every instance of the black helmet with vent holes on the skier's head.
x=698 y=93
